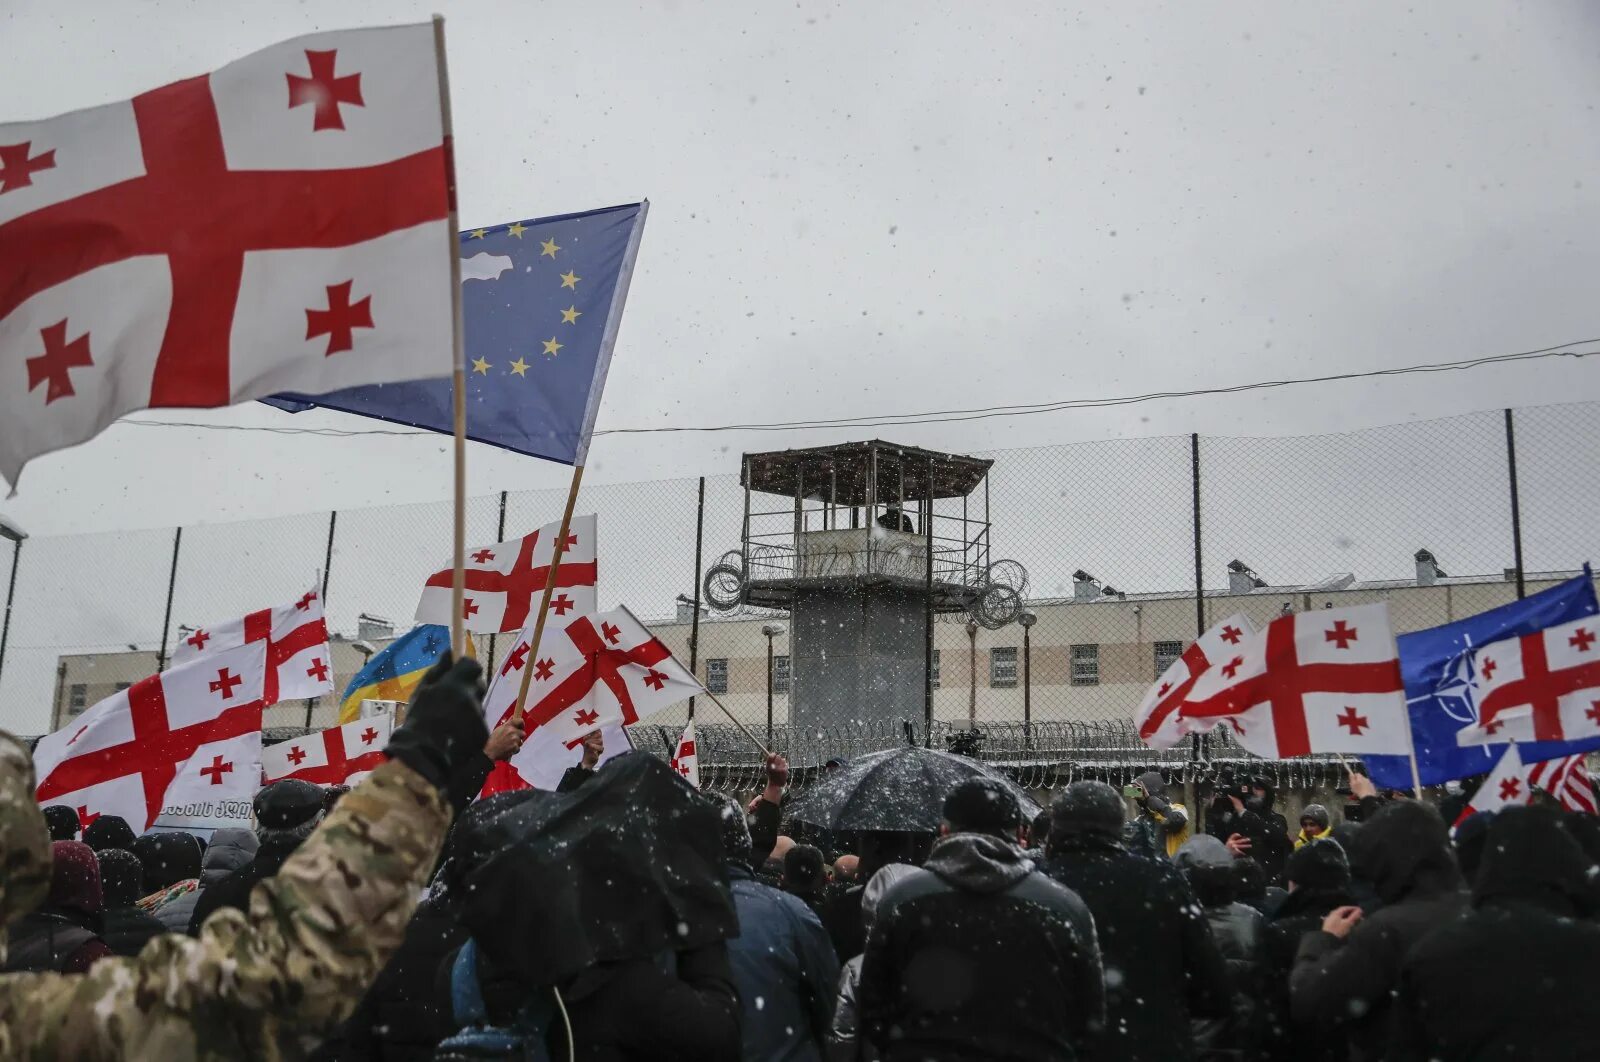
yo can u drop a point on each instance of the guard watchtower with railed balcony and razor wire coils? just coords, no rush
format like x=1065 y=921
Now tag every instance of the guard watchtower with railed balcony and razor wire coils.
x=868 y=545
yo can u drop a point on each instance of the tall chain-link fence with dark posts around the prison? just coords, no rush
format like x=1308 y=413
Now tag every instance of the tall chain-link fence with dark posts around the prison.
x=1121 y=553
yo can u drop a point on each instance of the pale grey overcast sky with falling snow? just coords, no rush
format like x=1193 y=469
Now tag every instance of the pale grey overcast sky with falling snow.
x=889 y=207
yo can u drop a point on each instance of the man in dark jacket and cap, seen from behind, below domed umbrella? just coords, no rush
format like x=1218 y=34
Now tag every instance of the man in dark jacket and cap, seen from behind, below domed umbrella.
x=978 y=954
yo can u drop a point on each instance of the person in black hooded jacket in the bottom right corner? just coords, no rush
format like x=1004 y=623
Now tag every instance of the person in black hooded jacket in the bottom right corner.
x=1516 y=978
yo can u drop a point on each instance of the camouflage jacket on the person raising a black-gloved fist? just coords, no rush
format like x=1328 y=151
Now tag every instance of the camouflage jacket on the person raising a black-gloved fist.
x=260 y=986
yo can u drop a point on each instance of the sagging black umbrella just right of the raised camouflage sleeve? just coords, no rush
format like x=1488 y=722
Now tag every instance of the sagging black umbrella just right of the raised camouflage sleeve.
x=626 y=866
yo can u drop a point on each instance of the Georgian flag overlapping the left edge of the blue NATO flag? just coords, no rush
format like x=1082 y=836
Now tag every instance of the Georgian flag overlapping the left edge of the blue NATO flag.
x=1326 y=681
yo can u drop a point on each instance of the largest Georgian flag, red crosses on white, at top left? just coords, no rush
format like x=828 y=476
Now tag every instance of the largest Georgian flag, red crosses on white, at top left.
x=281 y=225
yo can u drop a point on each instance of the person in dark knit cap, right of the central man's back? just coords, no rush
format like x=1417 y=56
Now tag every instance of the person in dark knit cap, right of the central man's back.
x=1162 y=965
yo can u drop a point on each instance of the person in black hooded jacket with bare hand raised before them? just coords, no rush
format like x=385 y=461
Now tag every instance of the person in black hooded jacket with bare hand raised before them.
x=1345 y=975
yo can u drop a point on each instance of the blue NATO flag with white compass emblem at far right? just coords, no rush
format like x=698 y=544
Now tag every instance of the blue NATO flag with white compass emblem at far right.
x=1436 y=666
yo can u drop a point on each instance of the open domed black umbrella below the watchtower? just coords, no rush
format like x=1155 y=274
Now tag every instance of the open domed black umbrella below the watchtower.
x=902 y=789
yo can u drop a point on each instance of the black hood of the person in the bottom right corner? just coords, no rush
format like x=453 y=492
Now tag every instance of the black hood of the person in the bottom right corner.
x=1530 y=858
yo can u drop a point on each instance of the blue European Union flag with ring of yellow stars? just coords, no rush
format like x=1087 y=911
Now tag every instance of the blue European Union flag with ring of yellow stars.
x=542 y=306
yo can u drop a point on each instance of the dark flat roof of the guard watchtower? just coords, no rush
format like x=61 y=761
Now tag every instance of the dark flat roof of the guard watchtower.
x=841 y=473
